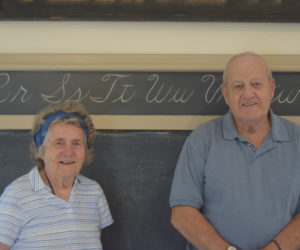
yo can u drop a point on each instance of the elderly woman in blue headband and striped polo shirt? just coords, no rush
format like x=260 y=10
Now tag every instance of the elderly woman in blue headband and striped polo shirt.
x=53 y=206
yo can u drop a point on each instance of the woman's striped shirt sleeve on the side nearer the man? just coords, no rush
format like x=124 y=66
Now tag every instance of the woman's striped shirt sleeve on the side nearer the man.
x=104 y=211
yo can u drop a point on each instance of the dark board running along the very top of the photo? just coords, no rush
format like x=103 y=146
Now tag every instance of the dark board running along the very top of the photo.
x=158 y=10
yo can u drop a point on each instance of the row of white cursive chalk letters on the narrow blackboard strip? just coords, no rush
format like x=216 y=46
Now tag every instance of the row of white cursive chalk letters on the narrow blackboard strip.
x=146 y=89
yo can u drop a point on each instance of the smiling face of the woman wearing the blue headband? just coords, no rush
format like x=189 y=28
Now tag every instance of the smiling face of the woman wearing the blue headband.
x=64 y=150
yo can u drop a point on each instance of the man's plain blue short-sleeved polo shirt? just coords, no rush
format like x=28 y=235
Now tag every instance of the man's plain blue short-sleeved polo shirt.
x=249 y=195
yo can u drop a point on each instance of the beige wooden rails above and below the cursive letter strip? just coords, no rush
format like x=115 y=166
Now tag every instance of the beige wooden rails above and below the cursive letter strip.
x=138 y=62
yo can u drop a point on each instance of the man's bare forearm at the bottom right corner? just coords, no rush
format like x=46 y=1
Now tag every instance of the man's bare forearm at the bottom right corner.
x=288 y=238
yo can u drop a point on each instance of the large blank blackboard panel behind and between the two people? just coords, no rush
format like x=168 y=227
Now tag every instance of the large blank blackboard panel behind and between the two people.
x=135 y=170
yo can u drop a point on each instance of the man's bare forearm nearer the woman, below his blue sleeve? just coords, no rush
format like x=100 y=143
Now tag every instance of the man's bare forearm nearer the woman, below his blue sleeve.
x=196 y=229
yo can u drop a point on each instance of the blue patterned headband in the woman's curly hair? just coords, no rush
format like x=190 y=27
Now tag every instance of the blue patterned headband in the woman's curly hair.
x=39 y=136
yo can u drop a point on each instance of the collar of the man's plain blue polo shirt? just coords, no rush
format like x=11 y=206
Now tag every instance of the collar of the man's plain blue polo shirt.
x=278 y=130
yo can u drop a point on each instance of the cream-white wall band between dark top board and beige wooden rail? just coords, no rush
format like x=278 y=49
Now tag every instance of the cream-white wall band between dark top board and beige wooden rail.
x=149 y=37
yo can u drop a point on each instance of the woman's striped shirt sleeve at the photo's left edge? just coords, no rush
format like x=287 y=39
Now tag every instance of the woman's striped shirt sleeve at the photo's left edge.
x=10 y=219
